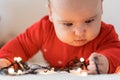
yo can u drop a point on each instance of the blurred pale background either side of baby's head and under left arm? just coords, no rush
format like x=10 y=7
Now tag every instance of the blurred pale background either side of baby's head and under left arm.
x=17 y=15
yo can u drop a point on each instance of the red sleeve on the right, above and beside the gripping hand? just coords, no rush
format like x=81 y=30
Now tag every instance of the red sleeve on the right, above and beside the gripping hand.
x=110 y=47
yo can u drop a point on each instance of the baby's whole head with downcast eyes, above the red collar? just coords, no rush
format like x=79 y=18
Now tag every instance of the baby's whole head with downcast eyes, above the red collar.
x=76 y=22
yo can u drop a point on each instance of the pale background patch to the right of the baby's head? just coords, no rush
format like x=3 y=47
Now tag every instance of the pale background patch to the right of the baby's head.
x=112 y=13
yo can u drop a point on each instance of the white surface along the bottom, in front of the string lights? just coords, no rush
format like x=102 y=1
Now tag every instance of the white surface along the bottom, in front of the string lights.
x=62 y=76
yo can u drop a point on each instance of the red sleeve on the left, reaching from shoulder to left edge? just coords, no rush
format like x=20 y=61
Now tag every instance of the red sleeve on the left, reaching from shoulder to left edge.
x=26 y=44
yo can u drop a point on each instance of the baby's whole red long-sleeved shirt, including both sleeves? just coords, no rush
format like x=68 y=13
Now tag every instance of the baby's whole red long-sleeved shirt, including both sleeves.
x=41 y=36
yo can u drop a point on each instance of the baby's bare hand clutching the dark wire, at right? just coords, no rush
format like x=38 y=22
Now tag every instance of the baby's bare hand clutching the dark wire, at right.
x=102 y=64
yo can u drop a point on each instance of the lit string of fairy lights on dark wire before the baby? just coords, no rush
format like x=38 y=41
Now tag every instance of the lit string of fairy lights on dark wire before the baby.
x=80 y=68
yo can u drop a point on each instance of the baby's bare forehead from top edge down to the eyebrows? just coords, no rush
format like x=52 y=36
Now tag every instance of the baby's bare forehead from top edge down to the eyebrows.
x=75 y=8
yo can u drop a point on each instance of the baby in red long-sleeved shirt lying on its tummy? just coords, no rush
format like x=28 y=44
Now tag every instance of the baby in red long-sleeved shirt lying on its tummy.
x=73 y=28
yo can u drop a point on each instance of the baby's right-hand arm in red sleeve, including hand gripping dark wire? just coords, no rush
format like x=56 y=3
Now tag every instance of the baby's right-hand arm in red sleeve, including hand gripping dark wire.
x=107 y=49
